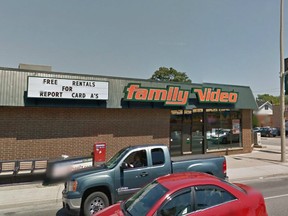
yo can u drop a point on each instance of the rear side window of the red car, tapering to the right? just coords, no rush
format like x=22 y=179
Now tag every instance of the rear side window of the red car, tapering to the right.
x=209 y=195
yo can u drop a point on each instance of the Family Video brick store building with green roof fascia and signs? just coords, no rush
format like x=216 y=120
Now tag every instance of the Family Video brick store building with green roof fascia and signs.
x=45 y=114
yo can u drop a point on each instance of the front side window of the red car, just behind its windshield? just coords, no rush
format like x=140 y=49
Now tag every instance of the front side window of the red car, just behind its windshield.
x=178 y=205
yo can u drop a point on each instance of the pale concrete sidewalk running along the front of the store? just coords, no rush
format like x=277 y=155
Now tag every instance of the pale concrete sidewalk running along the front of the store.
x=261 y=163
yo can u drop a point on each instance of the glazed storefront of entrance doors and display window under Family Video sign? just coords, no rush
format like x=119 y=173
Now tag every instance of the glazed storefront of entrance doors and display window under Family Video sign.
x=198 y=130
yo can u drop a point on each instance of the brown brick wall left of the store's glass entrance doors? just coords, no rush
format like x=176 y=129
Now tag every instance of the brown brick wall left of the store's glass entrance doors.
x=33 y=133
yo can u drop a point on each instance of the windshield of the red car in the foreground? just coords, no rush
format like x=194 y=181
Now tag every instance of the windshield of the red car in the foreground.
x=141 y=202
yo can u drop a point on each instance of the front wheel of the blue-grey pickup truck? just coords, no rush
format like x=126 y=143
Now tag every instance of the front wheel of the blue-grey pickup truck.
x=95 y=202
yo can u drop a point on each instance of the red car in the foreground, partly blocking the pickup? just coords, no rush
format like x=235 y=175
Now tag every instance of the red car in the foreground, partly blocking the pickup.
x=195 y=194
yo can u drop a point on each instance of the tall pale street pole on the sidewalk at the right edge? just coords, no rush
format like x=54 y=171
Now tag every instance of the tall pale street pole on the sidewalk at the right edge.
x=282 y=84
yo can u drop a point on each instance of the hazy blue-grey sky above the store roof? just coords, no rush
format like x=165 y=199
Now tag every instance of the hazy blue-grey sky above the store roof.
x=216 y=41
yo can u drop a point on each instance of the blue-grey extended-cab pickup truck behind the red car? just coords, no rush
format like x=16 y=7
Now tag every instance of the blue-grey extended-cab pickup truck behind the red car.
x=92 y=189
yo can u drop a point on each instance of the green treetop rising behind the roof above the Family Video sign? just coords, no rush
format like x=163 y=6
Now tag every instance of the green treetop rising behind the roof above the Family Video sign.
x=170 y=74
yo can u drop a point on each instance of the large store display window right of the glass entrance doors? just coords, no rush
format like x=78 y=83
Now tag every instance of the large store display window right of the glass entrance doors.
x=223 y=128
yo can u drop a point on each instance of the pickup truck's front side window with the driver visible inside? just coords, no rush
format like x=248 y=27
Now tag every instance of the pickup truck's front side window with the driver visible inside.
x=136 y=159
